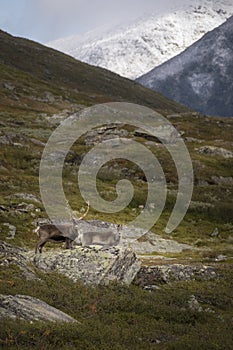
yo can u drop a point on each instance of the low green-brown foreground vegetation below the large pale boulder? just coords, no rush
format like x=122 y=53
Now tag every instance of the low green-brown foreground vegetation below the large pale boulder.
x=121 y=317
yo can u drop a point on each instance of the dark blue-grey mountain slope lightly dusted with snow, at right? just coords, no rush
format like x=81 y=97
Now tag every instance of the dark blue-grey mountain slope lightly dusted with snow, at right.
x=202 y=76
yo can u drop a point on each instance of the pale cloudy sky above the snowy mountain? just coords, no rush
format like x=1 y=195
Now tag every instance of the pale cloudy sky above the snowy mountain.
x=46 y=20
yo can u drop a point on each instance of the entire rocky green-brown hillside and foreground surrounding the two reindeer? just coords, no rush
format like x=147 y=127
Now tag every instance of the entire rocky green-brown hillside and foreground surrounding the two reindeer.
x=156 y=290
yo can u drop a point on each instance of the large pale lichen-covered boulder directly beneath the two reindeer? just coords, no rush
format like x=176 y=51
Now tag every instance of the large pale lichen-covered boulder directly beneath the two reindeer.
x=92 y=265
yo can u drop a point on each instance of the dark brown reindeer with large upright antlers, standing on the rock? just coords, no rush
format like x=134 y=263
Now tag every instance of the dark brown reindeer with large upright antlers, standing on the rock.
x=58 y=233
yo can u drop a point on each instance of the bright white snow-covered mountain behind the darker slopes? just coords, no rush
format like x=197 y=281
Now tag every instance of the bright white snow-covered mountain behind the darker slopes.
x=133 y=50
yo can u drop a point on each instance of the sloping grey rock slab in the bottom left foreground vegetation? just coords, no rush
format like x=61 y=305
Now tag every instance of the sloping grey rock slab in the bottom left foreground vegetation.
x=30 y=309
